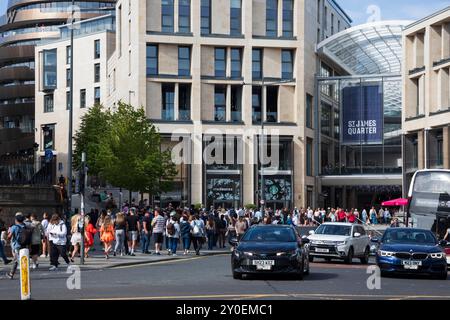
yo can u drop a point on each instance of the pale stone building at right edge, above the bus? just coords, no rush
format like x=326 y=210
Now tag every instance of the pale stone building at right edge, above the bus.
x=426 y=94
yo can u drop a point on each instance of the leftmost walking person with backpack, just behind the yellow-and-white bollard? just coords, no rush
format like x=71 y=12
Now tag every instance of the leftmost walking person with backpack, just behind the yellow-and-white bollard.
x=20 y=237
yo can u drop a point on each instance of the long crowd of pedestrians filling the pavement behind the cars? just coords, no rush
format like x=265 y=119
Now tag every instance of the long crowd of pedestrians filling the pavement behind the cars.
x=137 y=226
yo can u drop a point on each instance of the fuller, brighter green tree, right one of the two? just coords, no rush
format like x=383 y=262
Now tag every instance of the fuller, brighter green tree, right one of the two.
x=130 y=154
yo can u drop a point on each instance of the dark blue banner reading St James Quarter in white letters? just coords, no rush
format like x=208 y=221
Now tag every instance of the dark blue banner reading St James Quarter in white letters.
x=362 y=110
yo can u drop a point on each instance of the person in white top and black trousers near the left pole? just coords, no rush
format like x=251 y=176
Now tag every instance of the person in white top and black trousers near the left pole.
x=57 y=236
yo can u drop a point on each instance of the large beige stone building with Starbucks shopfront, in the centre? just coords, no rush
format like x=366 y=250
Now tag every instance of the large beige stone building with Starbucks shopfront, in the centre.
x=225 y=68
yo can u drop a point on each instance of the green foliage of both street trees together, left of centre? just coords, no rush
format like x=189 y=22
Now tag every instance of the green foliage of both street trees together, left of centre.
x=126 y=150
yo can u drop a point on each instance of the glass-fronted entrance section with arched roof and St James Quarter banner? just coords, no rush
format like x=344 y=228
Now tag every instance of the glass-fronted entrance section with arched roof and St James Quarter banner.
x=358 y=119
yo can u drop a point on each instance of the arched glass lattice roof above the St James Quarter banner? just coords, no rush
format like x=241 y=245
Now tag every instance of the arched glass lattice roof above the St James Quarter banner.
x=369 y=49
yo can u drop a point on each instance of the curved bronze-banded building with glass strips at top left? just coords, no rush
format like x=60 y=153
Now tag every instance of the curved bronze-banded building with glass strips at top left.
x=25 y=24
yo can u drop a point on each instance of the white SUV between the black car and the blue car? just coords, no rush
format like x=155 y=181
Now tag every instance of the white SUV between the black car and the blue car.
x=339 y=241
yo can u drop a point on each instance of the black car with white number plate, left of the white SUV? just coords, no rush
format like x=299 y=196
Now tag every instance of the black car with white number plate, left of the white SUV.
x=270 y=249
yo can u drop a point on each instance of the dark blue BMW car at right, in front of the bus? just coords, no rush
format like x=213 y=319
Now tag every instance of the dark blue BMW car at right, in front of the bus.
x=411 y=251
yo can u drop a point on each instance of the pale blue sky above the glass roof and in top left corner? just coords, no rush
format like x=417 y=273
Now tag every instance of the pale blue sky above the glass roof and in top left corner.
x=389 y=9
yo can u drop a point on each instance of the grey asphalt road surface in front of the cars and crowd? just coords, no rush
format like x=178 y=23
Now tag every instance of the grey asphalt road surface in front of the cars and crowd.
x=209 y=277
